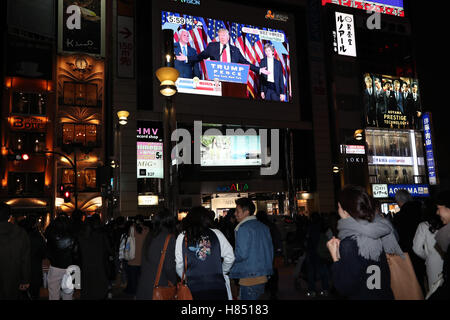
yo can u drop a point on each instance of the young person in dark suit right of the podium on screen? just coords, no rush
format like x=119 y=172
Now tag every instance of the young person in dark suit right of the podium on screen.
x=272 y=84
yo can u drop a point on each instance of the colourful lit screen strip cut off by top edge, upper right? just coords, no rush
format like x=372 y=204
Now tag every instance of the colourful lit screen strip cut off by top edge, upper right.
x=392 y=7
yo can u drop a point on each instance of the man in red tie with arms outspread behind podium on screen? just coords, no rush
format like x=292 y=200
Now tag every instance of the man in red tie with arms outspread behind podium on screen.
x=222 y=51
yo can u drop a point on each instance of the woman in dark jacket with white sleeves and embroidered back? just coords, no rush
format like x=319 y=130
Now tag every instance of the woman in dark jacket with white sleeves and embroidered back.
x=204 y=249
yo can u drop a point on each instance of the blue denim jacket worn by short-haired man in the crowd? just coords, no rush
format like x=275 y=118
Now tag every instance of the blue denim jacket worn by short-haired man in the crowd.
x=254 y=250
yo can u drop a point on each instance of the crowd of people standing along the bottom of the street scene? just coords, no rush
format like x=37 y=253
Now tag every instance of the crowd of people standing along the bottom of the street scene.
x=234 y=257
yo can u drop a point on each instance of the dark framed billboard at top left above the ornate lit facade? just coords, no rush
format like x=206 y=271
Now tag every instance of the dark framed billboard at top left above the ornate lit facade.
x=81 y=27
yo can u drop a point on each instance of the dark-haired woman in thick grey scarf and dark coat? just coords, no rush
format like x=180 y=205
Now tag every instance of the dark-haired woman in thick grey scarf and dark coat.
x=360 y=269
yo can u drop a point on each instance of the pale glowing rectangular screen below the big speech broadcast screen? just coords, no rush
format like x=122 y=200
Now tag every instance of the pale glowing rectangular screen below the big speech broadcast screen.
x=230 y=151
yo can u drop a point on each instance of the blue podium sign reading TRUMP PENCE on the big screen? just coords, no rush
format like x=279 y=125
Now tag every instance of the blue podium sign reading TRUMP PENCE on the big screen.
x=226 y=71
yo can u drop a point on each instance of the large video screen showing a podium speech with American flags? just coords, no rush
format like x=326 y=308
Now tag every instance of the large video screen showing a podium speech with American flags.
x=229 y=59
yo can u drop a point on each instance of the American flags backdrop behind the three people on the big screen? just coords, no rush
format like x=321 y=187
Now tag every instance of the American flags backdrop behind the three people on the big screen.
x=205 y=30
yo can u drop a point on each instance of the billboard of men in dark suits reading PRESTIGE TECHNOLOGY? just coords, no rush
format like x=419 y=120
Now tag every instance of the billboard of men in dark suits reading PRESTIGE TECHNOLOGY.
x=391 y=102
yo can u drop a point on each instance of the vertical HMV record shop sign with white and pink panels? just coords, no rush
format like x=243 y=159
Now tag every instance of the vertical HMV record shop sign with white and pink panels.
x=150 y=162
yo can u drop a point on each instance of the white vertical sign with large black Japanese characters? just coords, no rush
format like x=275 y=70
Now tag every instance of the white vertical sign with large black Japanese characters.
x=345 y=35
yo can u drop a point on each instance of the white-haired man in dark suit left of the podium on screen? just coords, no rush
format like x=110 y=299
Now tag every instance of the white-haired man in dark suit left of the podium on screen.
x=187 y=69
